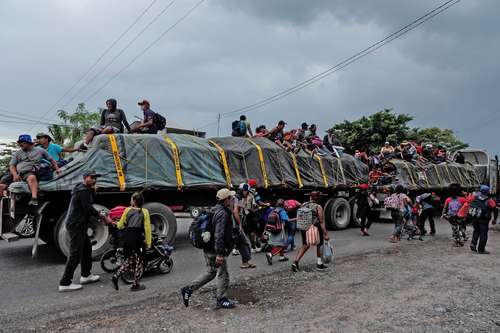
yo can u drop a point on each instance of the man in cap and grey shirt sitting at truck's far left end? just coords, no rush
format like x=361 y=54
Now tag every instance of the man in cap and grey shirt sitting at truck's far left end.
x=27 y=164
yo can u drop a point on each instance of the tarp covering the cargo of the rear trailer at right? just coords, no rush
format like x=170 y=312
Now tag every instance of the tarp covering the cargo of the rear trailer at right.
x=434 y=176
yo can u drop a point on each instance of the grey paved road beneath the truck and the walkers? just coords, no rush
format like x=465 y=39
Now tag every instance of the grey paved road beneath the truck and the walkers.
x=28 y=288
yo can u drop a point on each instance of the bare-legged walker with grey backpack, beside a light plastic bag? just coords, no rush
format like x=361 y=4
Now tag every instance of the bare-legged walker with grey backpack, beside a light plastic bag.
x=311 y=223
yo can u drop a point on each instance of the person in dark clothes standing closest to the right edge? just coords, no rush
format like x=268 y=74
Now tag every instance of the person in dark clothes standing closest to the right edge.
x=482 y=209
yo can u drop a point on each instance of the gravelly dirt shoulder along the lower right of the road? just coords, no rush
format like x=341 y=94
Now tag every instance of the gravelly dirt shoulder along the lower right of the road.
x=413 y=287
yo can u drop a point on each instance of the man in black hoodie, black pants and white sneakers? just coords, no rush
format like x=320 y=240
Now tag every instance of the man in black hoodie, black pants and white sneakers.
x=77 y=220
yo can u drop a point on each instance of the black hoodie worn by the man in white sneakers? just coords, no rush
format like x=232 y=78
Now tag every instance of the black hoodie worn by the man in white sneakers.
x=80 y=207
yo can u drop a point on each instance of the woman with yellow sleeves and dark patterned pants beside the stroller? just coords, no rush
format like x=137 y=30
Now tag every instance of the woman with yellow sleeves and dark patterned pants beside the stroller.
x=136 y=226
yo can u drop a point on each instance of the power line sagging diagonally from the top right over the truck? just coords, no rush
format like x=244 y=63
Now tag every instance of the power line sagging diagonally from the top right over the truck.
x=344 y=63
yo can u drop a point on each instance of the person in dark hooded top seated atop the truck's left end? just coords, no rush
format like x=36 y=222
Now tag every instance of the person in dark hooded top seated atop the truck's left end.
x=112 y=121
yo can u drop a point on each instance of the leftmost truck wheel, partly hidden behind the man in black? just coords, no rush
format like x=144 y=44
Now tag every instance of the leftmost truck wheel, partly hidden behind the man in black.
x=98 y=233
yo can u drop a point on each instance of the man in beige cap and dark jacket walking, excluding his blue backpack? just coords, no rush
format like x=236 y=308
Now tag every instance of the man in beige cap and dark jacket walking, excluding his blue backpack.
x=215 y=257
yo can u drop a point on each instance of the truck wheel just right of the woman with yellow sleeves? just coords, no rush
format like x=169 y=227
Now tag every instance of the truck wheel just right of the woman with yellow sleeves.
x=163 y=221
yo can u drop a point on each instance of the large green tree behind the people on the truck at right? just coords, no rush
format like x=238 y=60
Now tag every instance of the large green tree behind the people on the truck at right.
x=371 y=132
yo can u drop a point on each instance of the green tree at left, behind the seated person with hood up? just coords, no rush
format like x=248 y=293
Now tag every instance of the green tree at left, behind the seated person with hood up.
x=74 y=125
